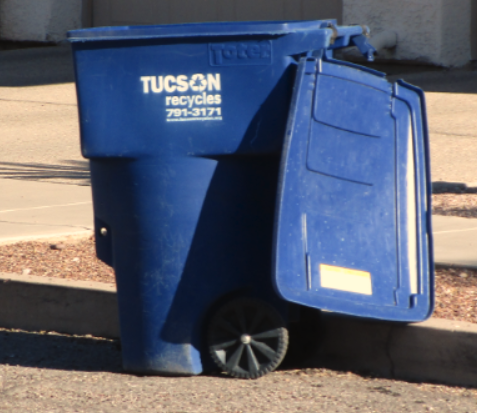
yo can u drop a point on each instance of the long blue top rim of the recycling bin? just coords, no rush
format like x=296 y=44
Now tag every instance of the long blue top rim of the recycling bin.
x=209 y=29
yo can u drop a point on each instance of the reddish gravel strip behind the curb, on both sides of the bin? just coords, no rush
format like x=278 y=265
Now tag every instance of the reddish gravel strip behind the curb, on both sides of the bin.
x=76 y=260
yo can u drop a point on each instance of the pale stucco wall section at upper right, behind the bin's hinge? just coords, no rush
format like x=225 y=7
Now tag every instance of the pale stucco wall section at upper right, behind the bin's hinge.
x=428 y=31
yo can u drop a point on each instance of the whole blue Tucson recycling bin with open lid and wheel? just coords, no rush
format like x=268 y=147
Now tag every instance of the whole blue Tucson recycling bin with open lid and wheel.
x=237 y=168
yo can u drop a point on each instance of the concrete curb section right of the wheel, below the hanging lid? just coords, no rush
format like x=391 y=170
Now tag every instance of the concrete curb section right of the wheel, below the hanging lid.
x=436 y=350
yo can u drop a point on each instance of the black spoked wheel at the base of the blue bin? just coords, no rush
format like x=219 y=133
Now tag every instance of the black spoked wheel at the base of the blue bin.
x=247 y=338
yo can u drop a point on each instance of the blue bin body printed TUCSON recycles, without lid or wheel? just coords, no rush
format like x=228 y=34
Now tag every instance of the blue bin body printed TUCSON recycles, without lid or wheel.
x=183 y=126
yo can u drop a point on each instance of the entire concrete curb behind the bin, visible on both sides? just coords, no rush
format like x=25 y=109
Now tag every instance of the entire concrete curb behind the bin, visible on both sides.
x=436 y=350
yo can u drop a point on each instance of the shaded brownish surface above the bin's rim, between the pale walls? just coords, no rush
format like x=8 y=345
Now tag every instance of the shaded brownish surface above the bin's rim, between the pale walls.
x=128 y=12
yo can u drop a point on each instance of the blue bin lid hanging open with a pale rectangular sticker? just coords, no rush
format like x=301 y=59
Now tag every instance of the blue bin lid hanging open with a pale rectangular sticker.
x=352 y=229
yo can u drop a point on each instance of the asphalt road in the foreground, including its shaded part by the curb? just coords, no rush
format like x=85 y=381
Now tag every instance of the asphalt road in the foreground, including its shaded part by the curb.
x=57 y=373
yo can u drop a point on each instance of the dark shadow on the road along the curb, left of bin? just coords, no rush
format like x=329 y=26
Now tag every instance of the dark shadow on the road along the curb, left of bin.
x=54 y=351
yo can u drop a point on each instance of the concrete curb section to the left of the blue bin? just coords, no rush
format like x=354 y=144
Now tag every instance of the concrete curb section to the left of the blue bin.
x=43 y=303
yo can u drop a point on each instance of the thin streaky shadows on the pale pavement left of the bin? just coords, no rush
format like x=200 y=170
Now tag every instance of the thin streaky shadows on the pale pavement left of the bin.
x=70 y=172
